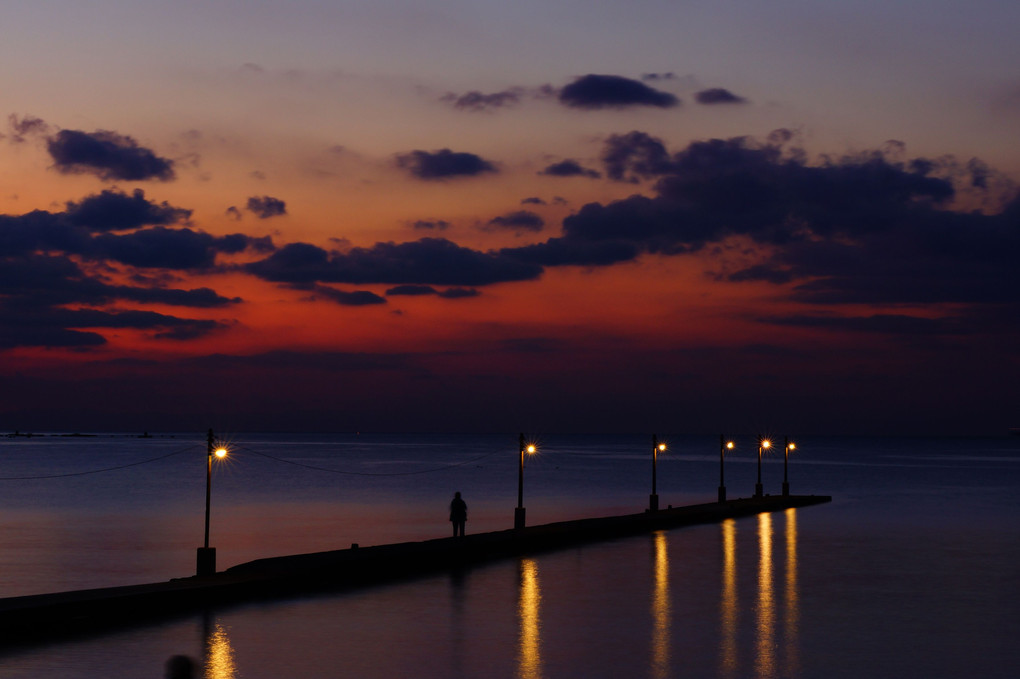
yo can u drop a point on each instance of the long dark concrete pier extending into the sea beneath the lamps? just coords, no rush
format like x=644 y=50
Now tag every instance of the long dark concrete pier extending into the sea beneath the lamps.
x=45 y=618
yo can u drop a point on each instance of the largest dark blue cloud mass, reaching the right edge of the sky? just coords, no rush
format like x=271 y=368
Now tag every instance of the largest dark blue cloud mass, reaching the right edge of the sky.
x=857 y=230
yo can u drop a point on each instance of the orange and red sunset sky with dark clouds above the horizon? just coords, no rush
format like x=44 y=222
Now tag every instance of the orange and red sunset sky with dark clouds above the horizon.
x=478 y=217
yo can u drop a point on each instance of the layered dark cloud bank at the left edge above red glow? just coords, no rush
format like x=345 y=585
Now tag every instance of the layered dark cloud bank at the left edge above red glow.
x=52 y=260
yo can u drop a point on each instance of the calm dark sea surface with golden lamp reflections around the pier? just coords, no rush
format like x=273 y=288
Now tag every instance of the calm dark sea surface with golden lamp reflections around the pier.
x=913 y=569
